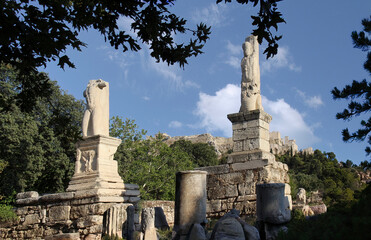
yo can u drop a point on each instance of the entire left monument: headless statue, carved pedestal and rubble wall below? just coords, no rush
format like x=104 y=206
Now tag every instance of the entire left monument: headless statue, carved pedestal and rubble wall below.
x=97 y=201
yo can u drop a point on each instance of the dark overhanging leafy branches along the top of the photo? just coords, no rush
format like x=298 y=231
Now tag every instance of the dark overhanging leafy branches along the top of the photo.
x=35 y=32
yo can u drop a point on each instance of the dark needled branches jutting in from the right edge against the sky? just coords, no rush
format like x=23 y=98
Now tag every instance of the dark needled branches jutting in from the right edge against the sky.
x=359 y=92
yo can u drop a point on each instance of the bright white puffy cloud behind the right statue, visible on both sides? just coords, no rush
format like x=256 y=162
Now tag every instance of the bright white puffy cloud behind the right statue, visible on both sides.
x=213 y=109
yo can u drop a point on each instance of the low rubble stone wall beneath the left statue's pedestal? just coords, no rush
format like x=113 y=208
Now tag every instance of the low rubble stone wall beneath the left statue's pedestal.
x=50 y=215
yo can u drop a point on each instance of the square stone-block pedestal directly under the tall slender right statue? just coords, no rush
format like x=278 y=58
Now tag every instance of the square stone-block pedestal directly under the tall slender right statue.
x=250 y=130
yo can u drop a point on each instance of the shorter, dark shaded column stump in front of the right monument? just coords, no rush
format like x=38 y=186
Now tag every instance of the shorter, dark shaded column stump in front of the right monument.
x=271 y=203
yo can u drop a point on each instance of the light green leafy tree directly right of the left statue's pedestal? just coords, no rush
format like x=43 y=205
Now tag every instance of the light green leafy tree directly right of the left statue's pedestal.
x=150 y=163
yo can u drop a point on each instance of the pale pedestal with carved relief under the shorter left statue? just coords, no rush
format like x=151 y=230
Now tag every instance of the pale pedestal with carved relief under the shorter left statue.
x=95 y=170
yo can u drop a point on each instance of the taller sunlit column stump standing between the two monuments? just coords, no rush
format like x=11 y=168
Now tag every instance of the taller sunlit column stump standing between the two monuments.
x=190 y=200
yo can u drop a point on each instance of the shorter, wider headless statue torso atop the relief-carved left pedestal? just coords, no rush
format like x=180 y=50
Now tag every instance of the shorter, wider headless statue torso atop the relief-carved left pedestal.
x=96 y=116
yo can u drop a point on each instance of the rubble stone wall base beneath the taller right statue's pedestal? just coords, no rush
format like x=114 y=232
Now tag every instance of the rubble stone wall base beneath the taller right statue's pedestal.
x=228 y=188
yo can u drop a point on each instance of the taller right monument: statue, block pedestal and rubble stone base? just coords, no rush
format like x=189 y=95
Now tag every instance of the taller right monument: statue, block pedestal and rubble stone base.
x=233 y=185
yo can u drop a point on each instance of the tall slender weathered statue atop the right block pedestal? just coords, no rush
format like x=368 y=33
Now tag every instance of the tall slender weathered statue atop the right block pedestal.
x=250 y=81
